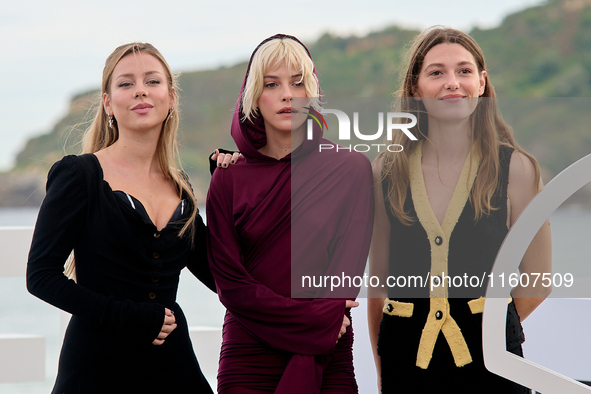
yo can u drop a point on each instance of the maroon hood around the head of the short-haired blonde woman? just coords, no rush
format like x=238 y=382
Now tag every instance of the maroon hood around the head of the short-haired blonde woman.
x=250 y=136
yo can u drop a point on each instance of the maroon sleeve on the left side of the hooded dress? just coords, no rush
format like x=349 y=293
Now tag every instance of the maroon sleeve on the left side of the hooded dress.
x=301 y=326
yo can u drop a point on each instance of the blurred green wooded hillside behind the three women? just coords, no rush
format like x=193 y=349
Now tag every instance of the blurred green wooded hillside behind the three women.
x=543 y=51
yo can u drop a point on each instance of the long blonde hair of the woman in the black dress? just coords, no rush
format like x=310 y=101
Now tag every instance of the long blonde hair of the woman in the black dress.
x=99 y=135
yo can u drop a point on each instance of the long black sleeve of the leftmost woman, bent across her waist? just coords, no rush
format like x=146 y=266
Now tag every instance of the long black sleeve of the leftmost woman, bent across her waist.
x=60 y=222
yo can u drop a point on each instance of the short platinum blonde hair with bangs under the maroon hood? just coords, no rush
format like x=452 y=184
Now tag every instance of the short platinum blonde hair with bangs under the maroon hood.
x=269 y=55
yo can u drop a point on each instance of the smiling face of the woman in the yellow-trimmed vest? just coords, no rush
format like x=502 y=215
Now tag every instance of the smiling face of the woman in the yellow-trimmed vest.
x=449 y=83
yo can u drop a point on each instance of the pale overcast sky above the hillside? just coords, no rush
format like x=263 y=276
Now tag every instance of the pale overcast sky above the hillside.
x=54 y=50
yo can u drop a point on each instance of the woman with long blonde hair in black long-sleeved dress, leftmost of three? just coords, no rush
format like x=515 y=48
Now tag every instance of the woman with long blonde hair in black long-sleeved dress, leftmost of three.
x=129 y=215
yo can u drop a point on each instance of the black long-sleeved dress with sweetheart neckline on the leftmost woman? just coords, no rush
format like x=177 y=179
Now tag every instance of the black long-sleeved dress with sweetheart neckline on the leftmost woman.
x=127 y=273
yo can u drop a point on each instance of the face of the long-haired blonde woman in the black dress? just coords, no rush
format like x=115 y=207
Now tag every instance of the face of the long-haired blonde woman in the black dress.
x=140 y=96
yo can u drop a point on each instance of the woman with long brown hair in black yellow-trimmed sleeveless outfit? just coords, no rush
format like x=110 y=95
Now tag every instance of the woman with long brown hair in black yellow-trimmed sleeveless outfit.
x=443 y=208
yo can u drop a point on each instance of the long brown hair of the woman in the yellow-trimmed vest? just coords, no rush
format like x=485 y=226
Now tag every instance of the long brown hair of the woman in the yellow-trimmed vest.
x=491 y=131
